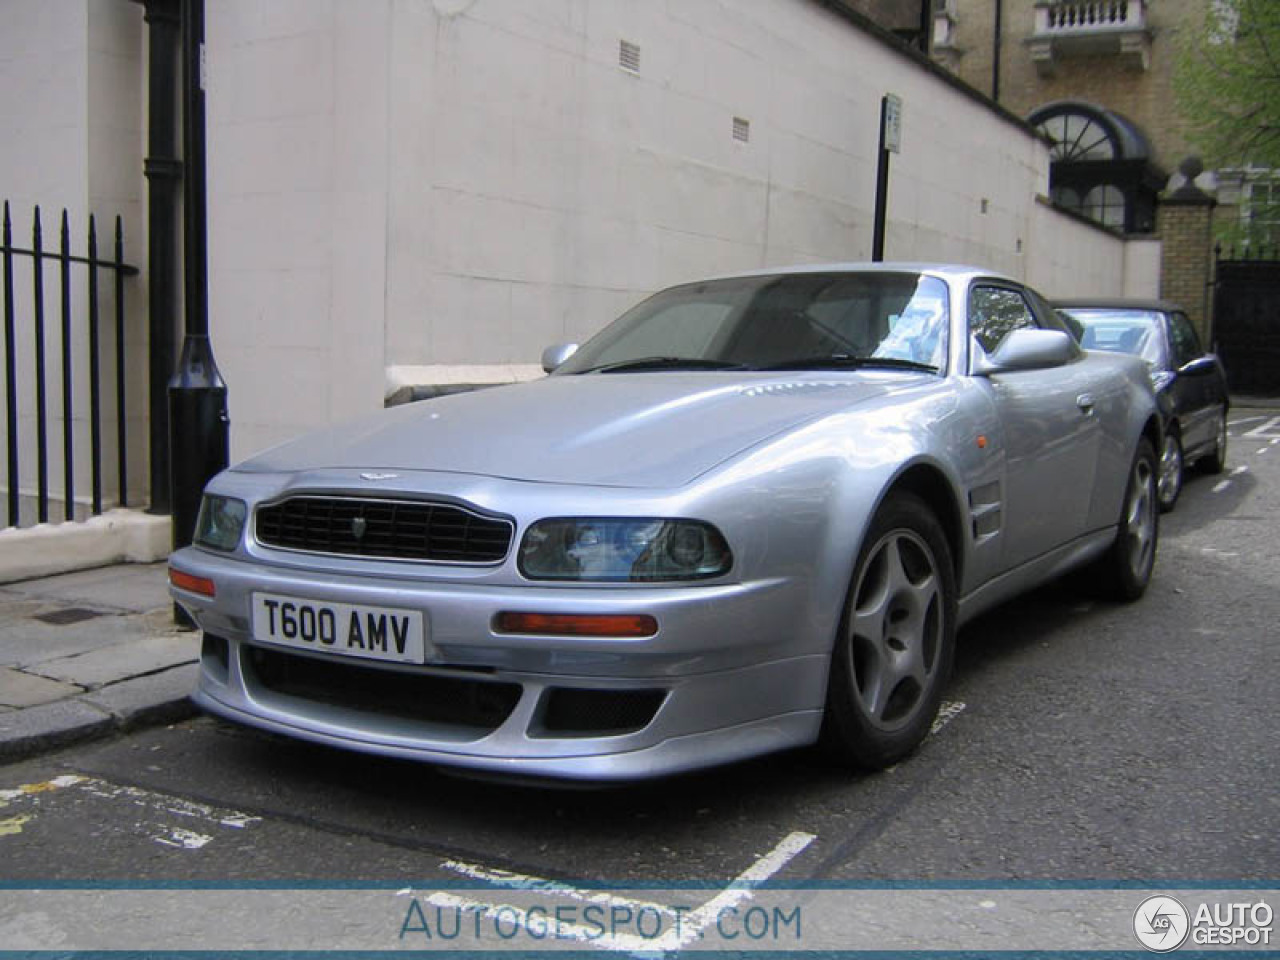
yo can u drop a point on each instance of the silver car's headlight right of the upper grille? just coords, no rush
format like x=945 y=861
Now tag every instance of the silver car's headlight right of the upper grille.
x=618 y=550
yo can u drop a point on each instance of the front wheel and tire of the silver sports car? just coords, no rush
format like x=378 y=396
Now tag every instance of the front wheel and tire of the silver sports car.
x=897 y=641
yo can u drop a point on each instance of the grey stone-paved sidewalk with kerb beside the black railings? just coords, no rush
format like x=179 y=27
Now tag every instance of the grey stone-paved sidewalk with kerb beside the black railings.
x=90 y=653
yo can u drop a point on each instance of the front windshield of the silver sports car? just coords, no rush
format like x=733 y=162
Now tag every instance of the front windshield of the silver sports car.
x=820 y=321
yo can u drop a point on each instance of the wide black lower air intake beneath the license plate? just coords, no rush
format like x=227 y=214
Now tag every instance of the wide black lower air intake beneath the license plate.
x=464 y=702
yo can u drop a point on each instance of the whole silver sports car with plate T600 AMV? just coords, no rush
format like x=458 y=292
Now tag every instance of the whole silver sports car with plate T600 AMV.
x=749 y=515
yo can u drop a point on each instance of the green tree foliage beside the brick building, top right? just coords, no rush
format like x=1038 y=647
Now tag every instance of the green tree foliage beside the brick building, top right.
x=1228 y=84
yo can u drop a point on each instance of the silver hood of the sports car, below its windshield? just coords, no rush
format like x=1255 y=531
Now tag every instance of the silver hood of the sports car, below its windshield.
x=646 y=431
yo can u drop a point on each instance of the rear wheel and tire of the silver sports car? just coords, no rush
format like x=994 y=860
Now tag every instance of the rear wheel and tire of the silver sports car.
x=1126 y=569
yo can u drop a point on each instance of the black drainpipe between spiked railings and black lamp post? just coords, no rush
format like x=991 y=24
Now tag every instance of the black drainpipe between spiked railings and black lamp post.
x=163 y=168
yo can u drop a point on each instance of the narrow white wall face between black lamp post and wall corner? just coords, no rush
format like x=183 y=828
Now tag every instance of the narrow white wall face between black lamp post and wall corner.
x=298 y=127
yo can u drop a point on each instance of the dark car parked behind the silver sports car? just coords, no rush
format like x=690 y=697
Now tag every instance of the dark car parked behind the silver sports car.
x=1191 y=385
